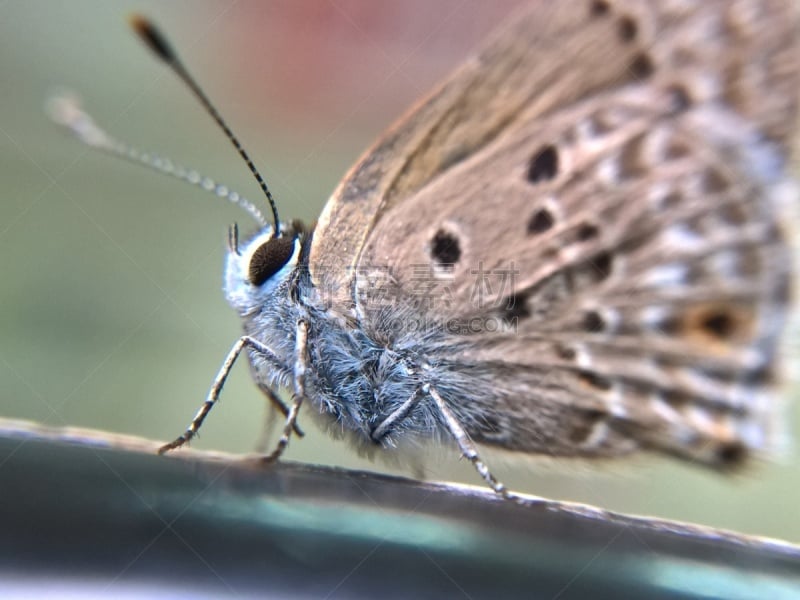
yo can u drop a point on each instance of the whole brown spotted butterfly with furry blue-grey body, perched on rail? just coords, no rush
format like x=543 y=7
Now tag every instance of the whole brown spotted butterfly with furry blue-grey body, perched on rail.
x=574 y=247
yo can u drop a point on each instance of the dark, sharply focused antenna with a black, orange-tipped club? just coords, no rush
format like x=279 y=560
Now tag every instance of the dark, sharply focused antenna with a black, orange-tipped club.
x=161 y=47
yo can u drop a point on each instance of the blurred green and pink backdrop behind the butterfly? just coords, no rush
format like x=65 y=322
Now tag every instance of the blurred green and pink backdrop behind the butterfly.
x=111 y=310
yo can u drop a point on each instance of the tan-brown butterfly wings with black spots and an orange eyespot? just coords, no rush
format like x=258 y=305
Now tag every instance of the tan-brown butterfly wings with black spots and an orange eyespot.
x=594 y=203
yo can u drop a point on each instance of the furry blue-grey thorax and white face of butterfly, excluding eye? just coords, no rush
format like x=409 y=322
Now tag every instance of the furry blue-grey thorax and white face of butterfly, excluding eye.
x=357 y=380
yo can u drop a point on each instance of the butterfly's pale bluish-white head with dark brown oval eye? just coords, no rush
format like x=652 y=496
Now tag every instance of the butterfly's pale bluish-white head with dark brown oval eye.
x=256 y=269
